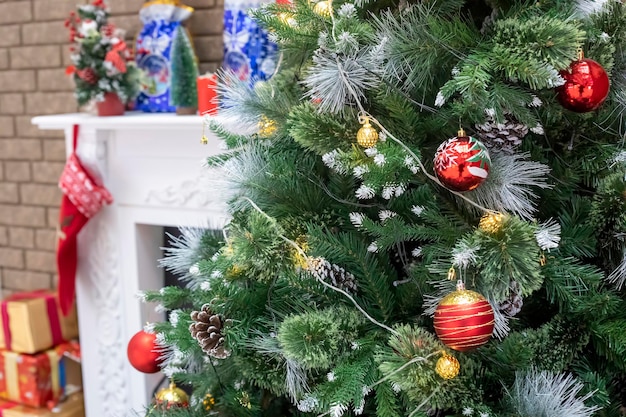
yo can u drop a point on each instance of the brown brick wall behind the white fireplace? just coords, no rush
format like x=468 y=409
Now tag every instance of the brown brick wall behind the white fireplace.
x=33 y=54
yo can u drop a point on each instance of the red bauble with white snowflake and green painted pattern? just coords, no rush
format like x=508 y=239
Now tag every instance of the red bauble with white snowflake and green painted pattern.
x=462 y=163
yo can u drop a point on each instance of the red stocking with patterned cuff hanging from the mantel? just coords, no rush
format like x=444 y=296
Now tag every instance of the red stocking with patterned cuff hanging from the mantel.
x=82 y=199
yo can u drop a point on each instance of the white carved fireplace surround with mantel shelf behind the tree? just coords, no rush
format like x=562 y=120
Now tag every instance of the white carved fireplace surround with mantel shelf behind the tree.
x=153 y=166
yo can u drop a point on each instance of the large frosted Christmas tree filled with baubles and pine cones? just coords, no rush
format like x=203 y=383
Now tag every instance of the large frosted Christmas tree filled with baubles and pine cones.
x=428 y=218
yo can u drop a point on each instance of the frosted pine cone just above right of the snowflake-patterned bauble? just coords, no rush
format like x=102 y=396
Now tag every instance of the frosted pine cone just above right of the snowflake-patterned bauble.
x=505 y=137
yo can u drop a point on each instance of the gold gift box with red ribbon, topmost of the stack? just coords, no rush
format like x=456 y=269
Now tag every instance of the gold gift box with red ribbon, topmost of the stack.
x=32 y=322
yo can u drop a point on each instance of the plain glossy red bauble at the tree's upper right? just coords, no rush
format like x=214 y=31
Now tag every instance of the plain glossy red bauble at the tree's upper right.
x=586 y=86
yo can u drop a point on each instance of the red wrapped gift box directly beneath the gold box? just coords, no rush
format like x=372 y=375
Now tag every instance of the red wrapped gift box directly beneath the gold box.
x=35 y=380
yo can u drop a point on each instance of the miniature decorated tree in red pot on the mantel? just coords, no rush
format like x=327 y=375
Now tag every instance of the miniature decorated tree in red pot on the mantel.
x=103 y=68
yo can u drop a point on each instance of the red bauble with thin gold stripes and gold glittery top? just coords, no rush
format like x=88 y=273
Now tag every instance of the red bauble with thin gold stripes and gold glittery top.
x=464 y=320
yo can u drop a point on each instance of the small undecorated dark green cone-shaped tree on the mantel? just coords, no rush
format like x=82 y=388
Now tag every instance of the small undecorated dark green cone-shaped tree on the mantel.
x=184 y=72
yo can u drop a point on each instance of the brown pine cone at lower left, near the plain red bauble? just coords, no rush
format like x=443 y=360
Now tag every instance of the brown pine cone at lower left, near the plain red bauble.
x=207 y=329
